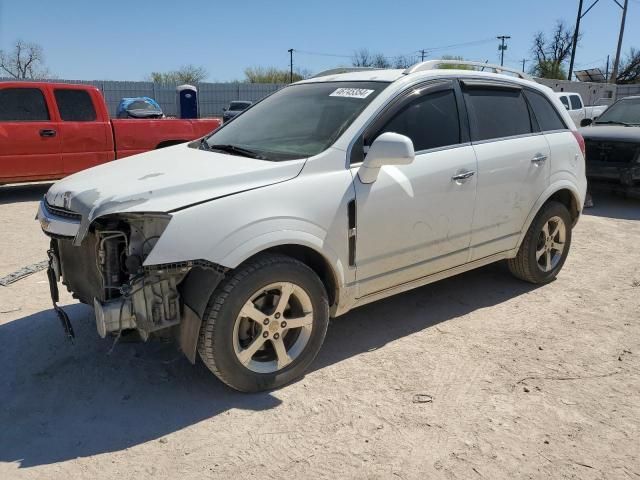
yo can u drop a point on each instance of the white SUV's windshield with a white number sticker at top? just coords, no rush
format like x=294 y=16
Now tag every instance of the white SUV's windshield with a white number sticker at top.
x=296 y=122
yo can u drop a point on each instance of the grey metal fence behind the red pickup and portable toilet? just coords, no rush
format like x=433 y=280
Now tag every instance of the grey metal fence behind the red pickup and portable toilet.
x=212 y=97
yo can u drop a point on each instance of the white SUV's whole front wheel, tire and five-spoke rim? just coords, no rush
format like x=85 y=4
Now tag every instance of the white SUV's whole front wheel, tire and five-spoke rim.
x=264 y=324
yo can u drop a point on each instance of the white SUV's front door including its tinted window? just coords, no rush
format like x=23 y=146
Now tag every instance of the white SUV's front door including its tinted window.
x=415 y=220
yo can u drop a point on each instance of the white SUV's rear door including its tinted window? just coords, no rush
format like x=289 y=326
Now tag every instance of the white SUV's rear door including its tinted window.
x=513 y=167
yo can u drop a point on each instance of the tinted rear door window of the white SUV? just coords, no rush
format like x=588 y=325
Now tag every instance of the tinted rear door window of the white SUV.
x=496 y=113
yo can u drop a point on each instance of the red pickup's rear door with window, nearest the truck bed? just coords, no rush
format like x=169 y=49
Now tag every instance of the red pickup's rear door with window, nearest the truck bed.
x=85 y=130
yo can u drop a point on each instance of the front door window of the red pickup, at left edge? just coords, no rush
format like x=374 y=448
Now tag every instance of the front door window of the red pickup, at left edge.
x=22 y=105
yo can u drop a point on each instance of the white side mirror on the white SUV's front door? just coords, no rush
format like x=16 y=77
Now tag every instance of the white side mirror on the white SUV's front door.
x=388 y=149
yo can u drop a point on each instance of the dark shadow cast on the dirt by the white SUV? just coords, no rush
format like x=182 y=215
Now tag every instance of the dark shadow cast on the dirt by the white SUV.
x=61 y=401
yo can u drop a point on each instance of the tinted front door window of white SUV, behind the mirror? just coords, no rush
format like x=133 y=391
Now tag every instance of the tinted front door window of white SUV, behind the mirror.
x=430 y=121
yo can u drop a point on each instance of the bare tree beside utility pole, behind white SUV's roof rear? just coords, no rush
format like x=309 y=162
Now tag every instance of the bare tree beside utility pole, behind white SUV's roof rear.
x=550 y=54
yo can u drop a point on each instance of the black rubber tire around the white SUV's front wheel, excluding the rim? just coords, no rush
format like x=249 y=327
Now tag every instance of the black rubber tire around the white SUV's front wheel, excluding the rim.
x=216 y=335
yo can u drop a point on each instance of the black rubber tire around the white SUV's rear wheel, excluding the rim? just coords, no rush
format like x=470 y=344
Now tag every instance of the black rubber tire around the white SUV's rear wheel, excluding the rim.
x=525 y=265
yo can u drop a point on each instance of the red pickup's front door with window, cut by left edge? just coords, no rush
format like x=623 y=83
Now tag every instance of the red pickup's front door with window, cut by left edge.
x=30 y=147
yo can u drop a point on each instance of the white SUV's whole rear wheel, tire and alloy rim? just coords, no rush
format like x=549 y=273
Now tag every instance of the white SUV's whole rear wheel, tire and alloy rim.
x=545 y=246
